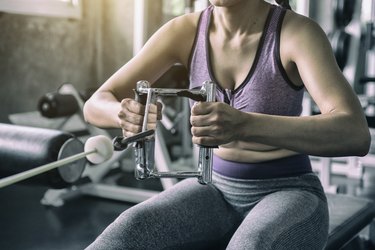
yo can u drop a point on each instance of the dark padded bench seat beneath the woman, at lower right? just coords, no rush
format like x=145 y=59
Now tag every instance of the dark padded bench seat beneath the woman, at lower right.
x=348 y=216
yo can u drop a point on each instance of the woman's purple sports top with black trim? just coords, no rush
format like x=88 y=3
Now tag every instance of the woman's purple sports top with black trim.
x=267 y=88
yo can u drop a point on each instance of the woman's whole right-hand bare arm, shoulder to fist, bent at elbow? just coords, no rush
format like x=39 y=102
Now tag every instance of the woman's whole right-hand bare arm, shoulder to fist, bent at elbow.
x=339 y=130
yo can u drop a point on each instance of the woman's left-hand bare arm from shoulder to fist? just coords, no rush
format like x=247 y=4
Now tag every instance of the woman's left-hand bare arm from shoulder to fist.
x=112 y=105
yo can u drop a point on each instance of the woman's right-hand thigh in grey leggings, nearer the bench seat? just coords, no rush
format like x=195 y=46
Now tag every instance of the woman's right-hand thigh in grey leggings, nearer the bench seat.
x=295 y=219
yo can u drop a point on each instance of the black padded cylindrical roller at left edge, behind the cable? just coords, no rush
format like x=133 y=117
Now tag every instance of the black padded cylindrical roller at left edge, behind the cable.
x=23 y=148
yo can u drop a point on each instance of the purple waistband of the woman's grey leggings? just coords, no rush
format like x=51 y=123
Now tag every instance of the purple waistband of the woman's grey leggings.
x=286 y=167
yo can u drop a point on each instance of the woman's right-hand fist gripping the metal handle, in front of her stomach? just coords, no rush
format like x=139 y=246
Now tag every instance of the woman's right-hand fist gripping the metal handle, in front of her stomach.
x=215 y=123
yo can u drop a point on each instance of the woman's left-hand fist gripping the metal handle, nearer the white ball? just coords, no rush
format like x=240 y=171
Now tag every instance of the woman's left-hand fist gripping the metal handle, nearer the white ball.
x=132 y=113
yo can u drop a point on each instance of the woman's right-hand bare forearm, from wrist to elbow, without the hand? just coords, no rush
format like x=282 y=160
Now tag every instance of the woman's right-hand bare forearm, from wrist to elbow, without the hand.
x=334 y=134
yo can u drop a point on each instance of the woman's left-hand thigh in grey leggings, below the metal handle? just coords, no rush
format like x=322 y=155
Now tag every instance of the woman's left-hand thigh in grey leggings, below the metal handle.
x=185 y=216
